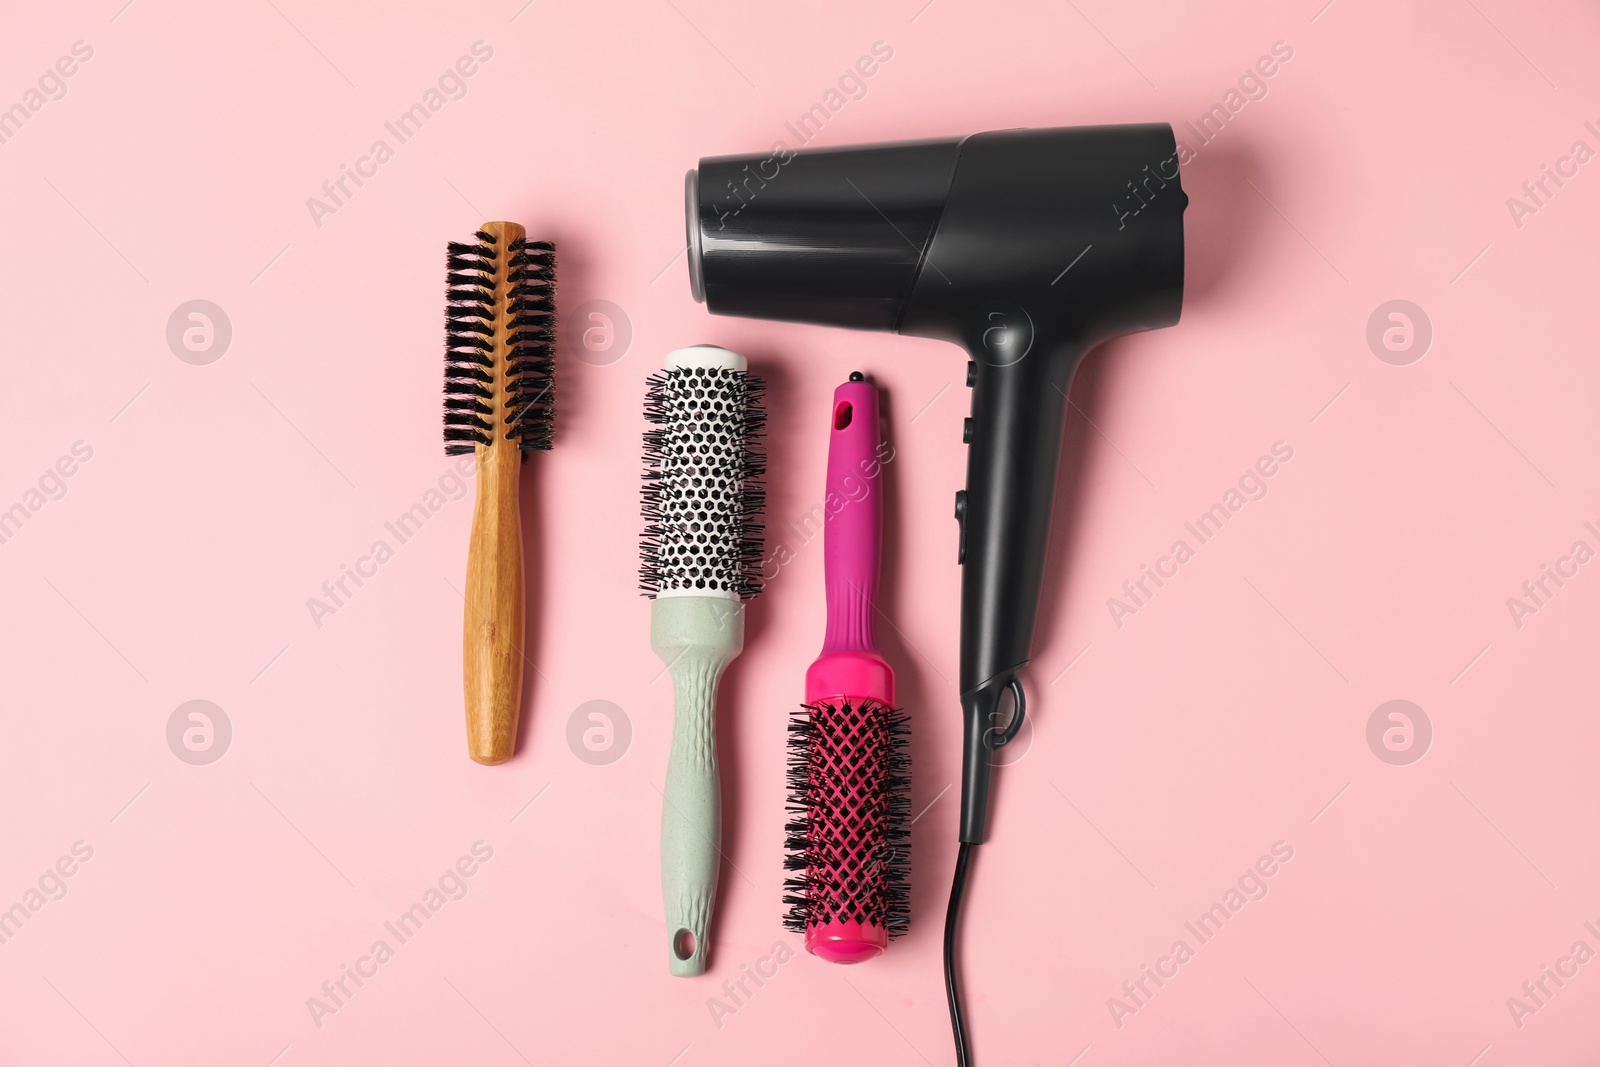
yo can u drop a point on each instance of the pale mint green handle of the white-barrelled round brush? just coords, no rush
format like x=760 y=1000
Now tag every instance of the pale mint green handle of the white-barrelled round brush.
x=697 y=639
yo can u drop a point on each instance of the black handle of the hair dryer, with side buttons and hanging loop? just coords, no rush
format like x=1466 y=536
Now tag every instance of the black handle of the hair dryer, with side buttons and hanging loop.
x=1020 y=396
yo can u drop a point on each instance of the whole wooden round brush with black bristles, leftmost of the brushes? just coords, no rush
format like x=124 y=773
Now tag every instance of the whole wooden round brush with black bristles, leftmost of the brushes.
x=500 y=348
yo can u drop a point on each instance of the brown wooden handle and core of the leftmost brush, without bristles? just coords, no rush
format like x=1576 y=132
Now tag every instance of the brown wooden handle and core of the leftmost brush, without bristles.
x=495 y=612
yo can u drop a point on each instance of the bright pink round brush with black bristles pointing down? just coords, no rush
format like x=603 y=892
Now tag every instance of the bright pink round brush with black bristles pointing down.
x=849 y=772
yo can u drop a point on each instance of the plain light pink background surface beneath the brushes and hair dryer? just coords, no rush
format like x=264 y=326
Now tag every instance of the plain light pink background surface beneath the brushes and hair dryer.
x=1226 y=716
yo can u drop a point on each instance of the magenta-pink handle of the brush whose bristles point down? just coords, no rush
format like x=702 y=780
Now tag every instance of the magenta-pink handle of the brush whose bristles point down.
x=854 y=537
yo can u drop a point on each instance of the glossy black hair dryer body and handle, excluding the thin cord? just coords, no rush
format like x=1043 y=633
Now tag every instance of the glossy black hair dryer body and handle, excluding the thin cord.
x=1026 y=247
